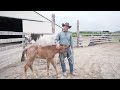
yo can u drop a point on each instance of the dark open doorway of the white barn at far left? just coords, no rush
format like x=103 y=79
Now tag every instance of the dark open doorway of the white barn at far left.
x=10 y=24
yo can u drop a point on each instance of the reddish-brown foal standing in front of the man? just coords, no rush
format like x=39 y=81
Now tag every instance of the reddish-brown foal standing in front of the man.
x=41 y=52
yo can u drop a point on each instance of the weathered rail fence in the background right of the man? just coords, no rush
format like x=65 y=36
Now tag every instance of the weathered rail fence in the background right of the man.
x=93 y=39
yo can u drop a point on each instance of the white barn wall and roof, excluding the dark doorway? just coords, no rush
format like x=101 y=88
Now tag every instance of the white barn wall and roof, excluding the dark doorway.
x=30 y=26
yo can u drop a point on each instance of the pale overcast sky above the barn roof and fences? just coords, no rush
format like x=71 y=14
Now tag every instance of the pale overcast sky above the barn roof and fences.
x=88 y=20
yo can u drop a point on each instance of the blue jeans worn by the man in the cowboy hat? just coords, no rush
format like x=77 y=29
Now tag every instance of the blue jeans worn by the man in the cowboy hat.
x=70 y=60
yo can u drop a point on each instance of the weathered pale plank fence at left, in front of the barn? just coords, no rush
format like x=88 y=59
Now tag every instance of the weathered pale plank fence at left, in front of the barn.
x=11 y=48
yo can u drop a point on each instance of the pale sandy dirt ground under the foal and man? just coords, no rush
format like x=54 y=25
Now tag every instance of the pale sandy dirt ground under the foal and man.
x=93 y=62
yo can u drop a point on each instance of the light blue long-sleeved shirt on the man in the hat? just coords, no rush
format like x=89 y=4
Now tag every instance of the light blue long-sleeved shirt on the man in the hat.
x=64 y=38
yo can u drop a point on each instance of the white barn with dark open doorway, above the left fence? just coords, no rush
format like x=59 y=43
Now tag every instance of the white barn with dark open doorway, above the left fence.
x=26 y=21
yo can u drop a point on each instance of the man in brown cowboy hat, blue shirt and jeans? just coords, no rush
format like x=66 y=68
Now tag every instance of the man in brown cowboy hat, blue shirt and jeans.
x=65 y=38
